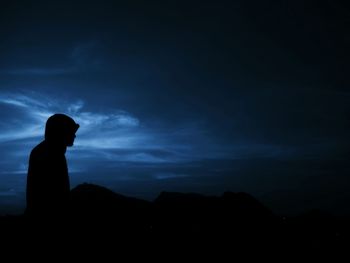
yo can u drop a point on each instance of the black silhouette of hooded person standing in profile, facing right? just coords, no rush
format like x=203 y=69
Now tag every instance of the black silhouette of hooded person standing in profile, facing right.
x=48 y=187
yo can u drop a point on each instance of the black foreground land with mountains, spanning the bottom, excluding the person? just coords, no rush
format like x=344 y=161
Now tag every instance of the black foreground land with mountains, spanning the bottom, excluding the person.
x=175 y=226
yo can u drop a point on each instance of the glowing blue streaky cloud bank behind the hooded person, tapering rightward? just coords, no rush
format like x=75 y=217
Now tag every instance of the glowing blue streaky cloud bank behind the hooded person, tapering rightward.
x=112 y=137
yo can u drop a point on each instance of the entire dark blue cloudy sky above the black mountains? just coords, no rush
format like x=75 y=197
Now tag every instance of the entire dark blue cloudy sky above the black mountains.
x=189 y=96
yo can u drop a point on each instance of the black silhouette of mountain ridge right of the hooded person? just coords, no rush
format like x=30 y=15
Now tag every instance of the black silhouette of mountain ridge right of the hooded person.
x=181 y=210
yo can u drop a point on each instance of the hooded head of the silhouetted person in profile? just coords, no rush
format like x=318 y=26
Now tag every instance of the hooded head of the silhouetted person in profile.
x=61 y=129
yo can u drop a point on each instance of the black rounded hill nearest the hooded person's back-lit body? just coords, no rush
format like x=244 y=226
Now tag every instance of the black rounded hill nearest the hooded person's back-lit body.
x=95 y=206
